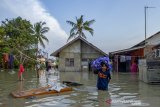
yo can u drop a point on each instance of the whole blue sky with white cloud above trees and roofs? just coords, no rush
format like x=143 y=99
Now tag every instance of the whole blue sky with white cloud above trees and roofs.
x=119 y=23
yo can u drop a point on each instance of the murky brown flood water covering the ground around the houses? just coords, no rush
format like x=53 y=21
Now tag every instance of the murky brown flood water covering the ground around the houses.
x=124 y=91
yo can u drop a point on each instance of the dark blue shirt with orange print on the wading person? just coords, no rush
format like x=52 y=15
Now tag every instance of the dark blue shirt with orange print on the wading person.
x=103 y=79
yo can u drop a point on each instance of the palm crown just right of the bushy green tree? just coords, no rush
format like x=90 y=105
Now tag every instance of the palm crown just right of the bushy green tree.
x=39 y=31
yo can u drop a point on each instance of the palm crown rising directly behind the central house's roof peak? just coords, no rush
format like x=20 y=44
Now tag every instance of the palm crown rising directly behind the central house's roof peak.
x=79 y=26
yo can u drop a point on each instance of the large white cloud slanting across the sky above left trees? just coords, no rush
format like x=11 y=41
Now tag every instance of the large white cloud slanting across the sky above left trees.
x=34 y=11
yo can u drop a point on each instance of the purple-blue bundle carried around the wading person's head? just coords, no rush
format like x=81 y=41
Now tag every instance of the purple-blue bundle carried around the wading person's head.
x=96 y=64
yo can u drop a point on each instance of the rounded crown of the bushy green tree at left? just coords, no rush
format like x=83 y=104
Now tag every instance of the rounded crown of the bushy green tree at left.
x=18 y=33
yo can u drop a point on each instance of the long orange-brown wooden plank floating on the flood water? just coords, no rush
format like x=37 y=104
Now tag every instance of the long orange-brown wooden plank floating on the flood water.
x=38 y=91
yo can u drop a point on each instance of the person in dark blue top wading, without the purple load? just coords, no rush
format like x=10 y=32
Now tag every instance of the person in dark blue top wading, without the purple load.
x=103 y=77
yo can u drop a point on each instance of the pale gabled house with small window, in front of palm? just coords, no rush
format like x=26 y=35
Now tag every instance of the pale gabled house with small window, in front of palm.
x=77 y=55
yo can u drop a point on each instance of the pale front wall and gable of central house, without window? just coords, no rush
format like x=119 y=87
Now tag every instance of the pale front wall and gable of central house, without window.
x=78 y=50
